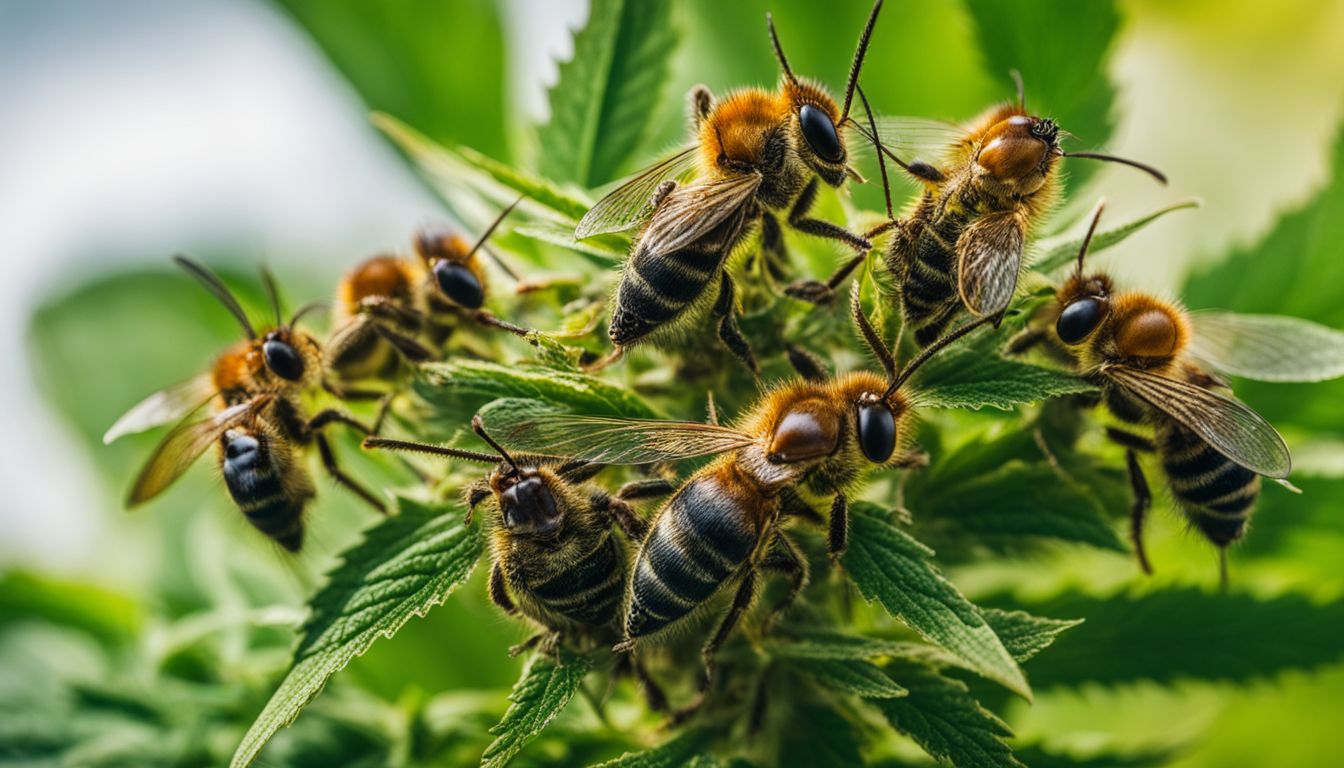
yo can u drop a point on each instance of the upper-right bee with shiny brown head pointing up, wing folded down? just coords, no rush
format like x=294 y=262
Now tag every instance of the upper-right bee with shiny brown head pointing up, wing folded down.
x=963 y=244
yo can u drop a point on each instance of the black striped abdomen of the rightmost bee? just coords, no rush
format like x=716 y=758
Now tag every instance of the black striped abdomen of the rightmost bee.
x=1217 y=494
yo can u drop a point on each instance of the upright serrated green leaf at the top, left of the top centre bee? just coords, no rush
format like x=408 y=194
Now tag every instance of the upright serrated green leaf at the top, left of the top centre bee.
x=607 y=98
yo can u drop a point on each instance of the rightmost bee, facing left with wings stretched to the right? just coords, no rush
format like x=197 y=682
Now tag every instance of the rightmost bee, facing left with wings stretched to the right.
x=1155 y=365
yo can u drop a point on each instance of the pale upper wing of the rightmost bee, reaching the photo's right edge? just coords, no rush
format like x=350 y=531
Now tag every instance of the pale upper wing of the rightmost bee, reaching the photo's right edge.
x=1268 y=348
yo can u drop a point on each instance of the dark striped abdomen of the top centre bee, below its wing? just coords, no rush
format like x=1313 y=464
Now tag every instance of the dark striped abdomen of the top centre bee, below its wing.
x=658 y=286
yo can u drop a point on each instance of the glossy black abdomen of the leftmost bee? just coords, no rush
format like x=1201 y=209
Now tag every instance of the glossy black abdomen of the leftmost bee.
x=257 y=486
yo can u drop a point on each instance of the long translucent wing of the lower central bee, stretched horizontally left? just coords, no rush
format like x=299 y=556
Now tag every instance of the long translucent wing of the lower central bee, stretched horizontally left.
x=608 y=440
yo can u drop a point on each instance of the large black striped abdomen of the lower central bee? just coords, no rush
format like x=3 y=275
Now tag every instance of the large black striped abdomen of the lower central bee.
x=700 y=540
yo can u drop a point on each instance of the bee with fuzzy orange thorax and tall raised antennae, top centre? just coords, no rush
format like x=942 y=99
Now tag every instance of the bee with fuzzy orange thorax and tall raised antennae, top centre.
x=756 y=154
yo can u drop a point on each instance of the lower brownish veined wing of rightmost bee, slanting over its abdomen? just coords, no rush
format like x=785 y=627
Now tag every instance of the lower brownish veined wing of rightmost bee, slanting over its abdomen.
x=1226 y=424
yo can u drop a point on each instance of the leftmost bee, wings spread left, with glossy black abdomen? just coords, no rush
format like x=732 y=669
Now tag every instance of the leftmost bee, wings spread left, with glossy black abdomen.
x=255 y=391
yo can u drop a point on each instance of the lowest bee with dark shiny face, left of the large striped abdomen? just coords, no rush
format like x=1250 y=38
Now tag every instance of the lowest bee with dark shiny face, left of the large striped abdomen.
x=554 y=558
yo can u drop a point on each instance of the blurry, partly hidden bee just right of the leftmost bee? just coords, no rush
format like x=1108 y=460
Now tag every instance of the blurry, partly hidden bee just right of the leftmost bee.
x=392 y=309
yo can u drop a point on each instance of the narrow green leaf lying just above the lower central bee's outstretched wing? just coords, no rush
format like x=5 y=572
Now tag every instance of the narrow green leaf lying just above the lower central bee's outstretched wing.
x=439 y=383
